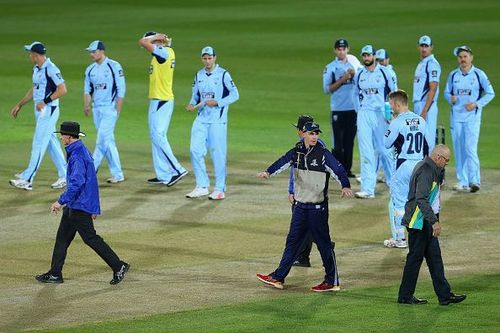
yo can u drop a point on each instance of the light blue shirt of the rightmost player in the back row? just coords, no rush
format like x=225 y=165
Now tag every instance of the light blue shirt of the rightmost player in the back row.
x=470 y=87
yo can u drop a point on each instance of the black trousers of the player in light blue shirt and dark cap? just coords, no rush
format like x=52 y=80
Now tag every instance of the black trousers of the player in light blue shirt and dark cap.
x=344 y=129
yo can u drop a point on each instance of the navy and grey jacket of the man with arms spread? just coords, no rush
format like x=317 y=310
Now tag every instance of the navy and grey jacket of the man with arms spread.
x=312 y=168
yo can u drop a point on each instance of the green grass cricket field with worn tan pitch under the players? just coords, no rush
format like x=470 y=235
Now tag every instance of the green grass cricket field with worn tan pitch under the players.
x=194 y=262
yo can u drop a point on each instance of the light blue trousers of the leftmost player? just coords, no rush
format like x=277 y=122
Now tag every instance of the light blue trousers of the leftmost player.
x=45 y=139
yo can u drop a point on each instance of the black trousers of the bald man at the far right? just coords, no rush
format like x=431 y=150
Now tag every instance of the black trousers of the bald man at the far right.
x=422 y=245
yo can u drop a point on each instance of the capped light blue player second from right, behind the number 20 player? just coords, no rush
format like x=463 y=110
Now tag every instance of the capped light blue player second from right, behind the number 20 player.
x=426 y=87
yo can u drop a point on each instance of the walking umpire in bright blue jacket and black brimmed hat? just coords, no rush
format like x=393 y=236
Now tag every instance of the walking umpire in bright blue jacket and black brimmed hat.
x=80 y=206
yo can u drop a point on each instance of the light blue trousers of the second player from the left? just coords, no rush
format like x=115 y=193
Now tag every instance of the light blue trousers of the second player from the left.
x=105 y=120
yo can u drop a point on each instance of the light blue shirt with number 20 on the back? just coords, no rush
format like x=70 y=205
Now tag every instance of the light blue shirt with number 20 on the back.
x=407 y=134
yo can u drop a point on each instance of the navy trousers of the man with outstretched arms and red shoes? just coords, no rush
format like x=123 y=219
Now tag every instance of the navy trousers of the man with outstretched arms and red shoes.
x=307 y=218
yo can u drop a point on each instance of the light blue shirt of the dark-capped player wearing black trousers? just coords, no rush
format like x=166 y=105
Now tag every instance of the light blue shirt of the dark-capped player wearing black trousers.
x=340 y=99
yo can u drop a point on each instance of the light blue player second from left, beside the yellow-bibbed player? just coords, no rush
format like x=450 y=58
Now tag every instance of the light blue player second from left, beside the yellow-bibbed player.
x=104 y=86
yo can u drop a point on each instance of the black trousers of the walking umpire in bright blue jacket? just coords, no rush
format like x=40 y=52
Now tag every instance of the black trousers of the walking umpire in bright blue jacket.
x=73 y=221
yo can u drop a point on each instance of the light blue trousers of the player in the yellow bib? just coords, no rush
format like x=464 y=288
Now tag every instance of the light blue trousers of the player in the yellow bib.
x=165 y=164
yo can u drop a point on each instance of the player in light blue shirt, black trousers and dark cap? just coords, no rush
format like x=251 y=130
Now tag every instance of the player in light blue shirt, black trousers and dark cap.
x=337 y=82
